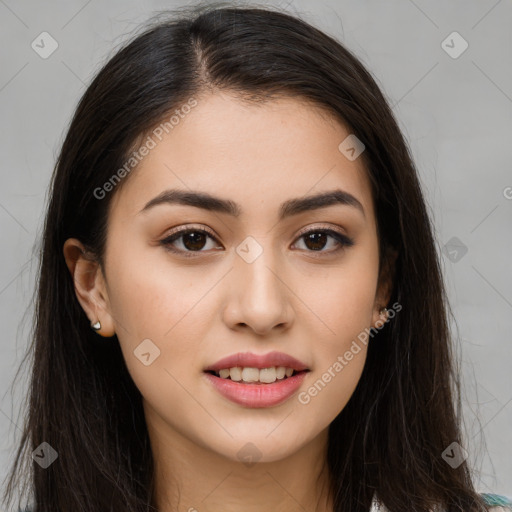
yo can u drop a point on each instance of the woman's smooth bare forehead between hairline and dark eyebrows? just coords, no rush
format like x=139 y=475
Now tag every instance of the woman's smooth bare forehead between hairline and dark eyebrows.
x=253 y=154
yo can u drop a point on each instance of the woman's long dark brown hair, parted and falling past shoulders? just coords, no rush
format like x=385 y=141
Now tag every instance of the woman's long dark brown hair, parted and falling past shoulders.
x=390 y=437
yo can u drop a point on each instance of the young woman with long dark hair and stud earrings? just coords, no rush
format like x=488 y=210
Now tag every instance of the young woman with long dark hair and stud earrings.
x=240 y=303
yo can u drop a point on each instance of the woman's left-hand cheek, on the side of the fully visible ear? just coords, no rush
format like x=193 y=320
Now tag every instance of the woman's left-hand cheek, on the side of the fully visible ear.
x=158 y=309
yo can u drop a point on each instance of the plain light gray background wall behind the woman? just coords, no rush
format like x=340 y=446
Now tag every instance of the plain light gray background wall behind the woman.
x=456 y=114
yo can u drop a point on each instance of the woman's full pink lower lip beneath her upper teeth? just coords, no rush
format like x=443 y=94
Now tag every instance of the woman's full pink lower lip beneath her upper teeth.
x=257 y=395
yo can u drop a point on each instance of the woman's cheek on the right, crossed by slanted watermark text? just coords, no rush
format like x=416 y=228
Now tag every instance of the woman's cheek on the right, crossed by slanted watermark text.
x=344 y=302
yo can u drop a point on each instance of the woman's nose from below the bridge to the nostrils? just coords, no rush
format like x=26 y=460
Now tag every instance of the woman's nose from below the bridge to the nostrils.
x=258 y=295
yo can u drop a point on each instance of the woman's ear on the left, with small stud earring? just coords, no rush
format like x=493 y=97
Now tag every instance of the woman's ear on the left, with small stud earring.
x=90 y=287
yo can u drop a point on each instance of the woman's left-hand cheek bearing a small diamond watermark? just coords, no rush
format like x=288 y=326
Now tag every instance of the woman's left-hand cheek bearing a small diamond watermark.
x=163 y=316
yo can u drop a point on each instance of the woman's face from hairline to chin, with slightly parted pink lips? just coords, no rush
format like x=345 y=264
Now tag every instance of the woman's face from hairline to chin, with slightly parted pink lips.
x=184 y=286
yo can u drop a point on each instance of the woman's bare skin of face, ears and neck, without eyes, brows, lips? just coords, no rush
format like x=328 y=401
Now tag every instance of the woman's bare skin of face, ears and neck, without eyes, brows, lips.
x=309 y=304
